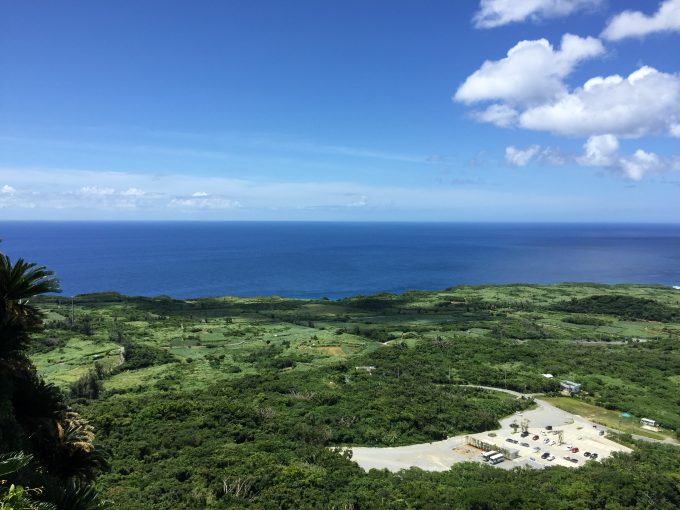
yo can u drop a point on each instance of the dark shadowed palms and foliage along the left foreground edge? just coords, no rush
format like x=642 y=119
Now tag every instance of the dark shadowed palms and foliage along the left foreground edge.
x=47 y=455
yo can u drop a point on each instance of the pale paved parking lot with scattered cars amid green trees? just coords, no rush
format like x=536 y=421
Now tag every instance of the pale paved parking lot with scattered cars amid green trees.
x=577 y=432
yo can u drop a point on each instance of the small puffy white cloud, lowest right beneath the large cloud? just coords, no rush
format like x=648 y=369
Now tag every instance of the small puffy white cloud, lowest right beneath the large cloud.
x=603 y=151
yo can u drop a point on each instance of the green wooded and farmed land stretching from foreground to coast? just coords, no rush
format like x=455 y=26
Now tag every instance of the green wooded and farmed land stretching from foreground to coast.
x=154 y=403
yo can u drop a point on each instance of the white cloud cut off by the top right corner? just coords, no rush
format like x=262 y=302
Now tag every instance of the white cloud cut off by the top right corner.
x=636 y=24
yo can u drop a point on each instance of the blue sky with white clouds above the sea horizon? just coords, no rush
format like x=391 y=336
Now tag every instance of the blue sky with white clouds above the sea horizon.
x=429 y=110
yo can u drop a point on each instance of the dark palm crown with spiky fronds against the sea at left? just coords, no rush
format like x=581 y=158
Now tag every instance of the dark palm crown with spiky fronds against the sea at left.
x=19 y=282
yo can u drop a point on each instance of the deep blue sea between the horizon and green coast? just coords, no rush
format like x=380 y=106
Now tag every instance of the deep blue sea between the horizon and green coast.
x=334 y=260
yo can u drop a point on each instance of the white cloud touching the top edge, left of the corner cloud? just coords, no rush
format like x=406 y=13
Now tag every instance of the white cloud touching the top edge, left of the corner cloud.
x=494 y=13
